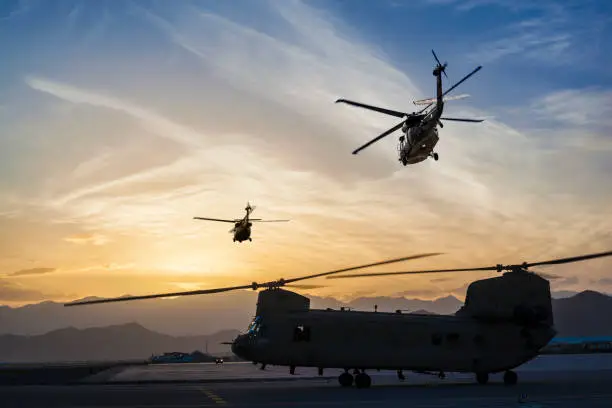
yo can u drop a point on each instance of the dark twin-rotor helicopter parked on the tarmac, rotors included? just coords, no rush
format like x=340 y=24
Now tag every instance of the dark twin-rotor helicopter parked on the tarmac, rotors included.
x=505 y=322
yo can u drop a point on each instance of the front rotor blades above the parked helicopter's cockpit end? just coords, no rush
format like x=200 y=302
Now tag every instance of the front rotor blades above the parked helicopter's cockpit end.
x=254 y=285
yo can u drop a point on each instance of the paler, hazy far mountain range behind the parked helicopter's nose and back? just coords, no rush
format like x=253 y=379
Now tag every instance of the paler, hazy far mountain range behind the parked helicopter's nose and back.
x=187 y=316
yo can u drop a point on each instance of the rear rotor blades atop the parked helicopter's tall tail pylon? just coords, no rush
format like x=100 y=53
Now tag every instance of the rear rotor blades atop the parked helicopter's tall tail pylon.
x=497 y=268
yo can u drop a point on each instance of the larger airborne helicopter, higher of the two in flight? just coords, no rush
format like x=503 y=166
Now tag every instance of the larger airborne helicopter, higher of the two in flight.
x=420 y=133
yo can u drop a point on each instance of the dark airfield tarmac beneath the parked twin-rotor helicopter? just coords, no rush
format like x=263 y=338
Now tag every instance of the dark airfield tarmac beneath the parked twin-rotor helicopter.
x=549 y=381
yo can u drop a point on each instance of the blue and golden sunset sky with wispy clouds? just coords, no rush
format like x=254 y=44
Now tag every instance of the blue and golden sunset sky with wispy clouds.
x=121 y=120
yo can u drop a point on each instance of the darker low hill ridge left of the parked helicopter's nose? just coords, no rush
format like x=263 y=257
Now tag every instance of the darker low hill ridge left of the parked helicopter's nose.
x=122 y=342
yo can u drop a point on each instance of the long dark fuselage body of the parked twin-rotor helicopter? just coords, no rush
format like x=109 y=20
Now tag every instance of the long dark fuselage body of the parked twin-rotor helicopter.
x=389 y=341
